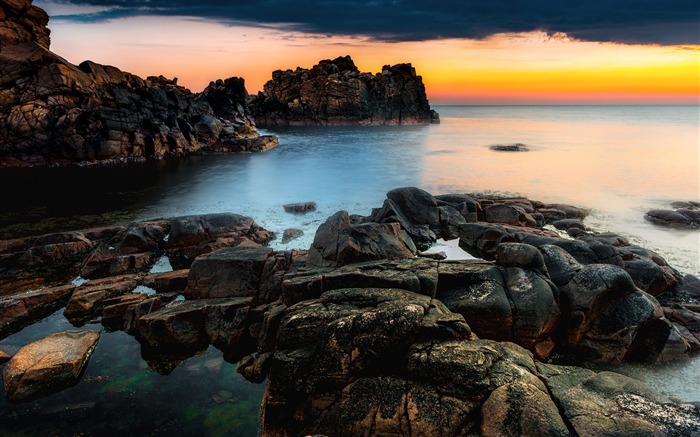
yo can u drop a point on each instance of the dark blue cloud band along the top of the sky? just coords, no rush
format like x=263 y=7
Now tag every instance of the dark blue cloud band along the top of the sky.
x=624 y=21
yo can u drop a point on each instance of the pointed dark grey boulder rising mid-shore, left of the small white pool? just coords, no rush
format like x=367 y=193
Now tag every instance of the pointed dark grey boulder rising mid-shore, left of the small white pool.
x=338 y=242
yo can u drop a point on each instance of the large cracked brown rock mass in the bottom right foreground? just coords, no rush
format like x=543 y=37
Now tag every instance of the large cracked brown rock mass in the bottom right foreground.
x=390 y=362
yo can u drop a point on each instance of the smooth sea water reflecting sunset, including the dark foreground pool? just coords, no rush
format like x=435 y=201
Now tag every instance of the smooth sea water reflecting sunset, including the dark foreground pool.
x=617 y=162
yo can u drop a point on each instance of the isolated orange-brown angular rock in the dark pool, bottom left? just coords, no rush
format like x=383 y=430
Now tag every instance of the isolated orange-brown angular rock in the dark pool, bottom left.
x=48 y=365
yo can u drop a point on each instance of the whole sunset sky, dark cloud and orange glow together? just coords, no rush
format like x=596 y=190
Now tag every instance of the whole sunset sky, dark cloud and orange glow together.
x=468 y=52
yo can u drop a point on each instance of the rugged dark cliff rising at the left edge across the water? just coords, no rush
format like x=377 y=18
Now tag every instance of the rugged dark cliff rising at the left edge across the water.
x=53 y=112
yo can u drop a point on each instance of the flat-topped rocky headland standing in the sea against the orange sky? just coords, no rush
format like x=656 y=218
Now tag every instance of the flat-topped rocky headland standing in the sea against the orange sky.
x=336 y=92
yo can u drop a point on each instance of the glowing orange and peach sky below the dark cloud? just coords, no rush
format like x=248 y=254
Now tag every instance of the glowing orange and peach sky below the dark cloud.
x=530 y=68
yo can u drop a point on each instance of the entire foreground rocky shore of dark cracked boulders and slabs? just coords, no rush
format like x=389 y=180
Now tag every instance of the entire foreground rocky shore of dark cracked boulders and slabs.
x=359 y=335
